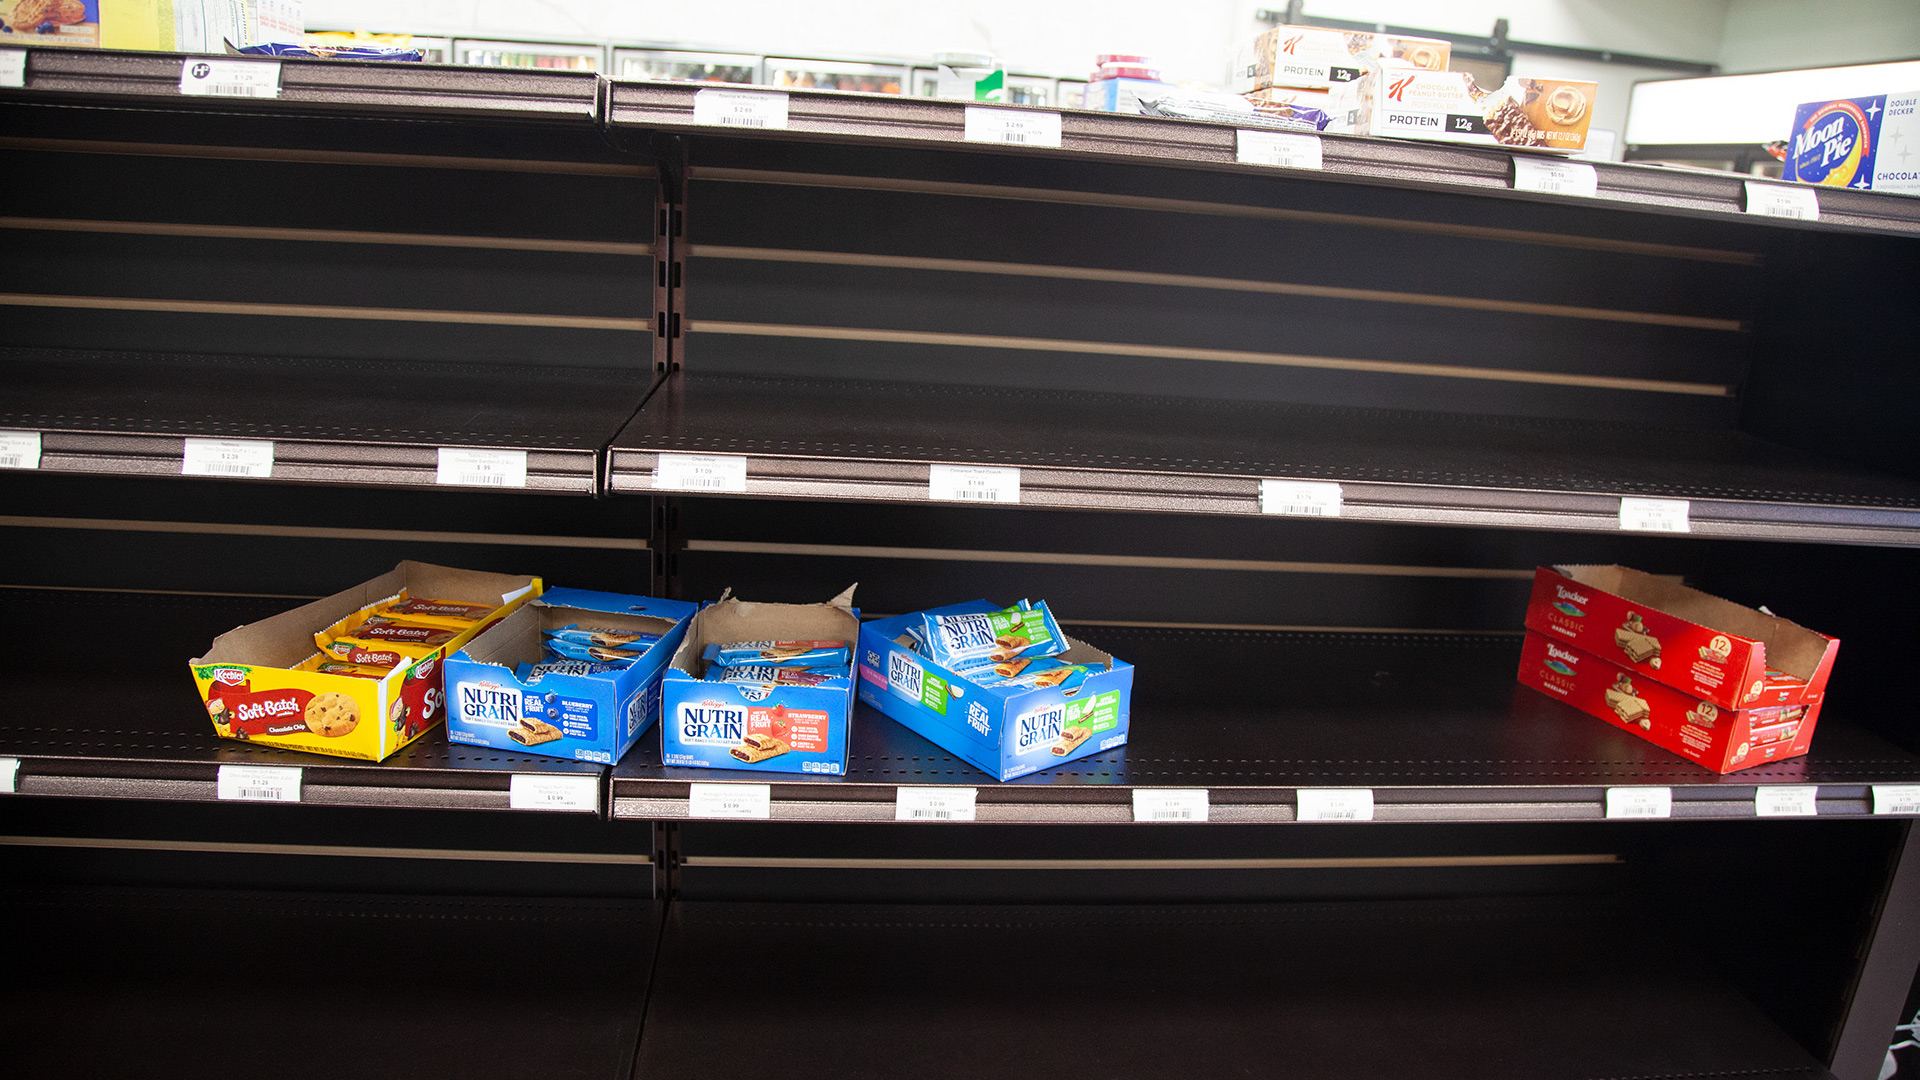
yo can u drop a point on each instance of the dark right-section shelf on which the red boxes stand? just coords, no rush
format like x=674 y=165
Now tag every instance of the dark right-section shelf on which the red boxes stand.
x=1433 y=724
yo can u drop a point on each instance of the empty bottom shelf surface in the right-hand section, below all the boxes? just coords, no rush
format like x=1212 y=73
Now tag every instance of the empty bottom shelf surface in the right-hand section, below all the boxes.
x=1493 y=989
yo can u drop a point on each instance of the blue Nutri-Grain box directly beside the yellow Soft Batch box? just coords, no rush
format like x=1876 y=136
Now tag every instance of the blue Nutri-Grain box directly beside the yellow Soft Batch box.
x=587 y=716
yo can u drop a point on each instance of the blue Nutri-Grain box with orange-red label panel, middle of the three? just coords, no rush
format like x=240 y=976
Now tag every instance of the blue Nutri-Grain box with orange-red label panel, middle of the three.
x=759 y=722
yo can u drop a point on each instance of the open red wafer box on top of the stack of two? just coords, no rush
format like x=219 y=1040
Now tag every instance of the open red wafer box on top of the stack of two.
x=1710 y=649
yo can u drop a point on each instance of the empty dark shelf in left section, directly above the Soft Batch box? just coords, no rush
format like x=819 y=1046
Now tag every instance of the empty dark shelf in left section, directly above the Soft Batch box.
x=333 y=422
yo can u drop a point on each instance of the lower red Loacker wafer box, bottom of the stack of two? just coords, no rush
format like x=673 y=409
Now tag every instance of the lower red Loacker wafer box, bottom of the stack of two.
x=1723 y=741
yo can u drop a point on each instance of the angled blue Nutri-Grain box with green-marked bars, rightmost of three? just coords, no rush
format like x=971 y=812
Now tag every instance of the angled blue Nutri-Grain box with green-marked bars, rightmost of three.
x=1007 y=731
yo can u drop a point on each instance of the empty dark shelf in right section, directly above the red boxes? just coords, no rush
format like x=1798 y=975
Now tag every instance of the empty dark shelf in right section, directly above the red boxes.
x=875 y=441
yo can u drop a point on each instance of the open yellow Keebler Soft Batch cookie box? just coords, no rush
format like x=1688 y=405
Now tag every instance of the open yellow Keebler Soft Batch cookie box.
x=270 y=683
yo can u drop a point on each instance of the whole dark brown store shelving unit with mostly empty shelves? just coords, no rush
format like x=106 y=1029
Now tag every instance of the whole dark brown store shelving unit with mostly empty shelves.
x=391 y=260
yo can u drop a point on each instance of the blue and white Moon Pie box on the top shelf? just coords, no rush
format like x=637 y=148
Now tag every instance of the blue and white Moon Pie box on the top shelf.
x=1858 y=143
